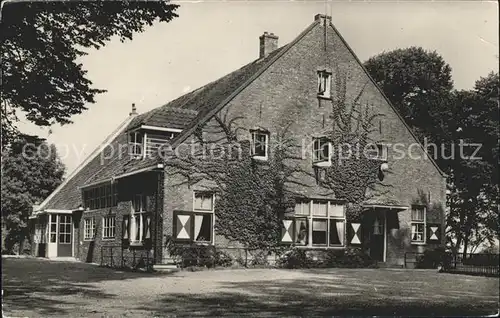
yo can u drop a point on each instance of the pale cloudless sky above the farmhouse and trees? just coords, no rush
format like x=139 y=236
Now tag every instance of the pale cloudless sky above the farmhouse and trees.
x=212 y=38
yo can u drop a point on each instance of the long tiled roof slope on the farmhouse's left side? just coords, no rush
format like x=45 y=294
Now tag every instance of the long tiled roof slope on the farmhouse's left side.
x=179 y=114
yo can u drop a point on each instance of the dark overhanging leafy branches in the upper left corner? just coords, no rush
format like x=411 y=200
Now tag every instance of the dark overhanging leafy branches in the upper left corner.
x=42 y=42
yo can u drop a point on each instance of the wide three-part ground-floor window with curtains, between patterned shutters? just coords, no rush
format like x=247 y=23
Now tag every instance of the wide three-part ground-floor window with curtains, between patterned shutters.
x=326 y=220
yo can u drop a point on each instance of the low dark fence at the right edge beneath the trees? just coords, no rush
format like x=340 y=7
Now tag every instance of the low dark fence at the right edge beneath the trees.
x=475 y=264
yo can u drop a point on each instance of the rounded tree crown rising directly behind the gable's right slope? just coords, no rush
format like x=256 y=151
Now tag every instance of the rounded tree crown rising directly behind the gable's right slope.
x=417 y=82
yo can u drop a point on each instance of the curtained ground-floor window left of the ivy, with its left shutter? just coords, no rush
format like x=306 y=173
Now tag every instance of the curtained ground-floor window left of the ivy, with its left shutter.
x=196 y=226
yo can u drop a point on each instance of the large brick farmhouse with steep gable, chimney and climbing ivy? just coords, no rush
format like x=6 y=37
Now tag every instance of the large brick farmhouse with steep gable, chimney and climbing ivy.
x=283 y=117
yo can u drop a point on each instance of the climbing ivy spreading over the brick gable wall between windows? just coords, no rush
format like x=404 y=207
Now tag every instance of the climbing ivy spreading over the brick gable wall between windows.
x=252 y=196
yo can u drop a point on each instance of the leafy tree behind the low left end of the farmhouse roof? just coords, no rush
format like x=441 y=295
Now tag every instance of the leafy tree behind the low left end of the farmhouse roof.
x=31 y=170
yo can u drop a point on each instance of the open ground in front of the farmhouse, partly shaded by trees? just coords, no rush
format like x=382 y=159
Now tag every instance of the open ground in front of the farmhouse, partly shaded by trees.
x=37 y=287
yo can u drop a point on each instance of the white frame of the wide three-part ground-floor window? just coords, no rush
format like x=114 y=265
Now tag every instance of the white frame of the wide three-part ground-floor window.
x=328 y=217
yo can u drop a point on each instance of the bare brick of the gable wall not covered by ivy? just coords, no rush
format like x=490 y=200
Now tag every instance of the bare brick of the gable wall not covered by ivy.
x=285 y=95
